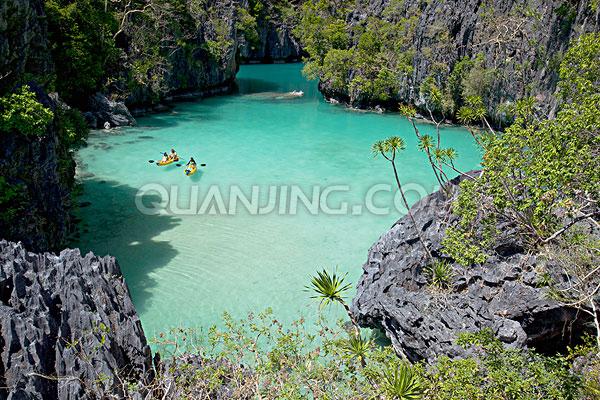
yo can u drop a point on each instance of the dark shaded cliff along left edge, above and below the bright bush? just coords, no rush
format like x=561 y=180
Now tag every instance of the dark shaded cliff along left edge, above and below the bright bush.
x=40 y=167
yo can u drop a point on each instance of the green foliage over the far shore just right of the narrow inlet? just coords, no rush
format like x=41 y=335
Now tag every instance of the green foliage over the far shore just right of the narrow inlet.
x=378 y=53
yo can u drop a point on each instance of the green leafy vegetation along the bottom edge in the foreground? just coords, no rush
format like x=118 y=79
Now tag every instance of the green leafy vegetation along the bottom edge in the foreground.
x=258 y=357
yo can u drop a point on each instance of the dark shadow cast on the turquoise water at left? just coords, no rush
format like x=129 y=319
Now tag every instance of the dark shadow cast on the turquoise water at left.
x=117 y=228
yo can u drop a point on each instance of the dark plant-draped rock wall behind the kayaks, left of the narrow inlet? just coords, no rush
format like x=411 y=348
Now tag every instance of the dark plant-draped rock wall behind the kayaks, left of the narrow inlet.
x=190 y=70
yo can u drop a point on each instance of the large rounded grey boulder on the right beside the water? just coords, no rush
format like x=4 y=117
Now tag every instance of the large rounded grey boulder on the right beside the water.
x=504 y=294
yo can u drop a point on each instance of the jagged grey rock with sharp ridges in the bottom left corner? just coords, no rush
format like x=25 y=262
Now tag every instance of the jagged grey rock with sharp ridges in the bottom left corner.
x=68 y=328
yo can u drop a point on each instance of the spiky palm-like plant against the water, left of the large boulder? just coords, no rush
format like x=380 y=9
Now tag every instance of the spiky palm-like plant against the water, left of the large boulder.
x=330 y=288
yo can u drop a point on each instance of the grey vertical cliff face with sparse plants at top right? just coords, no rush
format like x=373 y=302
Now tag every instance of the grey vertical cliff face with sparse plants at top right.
x=519 y=42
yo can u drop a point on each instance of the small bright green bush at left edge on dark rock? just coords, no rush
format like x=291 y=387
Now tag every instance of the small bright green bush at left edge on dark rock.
x=21 y=112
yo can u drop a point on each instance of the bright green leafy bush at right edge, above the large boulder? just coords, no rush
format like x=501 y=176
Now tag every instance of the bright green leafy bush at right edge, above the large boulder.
x=537 y=169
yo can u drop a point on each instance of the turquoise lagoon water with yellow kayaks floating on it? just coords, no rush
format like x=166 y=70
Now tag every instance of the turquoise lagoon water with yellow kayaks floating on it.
x=186 y=268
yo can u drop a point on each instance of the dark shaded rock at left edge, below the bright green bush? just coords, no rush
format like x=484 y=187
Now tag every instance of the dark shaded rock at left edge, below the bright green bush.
x=40 y=170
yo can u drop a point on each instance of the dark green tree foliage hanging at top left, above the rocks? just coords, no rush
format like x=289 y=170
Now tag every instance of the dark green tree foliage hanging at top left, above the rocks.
x=80 y=32
